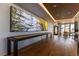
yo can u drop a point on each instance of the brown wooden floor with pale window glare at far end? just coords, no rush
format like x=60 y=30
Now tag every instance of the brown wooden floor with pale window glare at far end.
x=56 y=46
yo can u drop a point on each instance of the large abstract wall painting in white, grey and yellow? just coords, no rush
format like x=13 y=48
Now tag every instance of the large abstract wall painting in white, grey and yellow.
x=20 y=21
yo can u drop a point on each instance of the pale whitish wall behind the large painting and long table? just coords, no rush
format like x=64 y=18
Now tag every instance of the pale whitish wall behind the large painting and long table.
x=5 y=30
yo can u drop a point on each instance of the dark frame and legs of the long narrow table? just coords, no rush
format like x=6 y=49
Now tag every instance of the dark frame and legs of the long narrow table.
x=15 y=42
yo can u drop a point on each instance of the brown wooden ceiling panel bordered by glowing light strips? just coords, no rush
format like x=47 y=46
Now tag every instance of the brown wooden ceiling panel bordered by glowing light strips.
x=62 y=10
